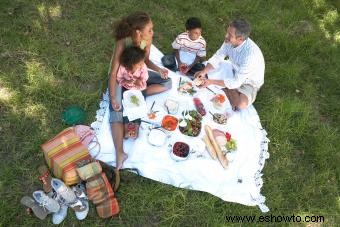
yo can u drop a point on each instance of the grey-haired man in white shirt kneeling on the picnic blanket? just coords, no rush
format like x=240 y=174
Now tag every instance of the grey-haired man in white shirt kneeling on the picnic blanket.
x=246 y=61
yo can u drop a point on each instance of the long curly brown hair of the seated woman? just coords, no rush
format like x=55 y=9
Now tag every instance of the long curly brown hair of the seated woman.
x=135 y=21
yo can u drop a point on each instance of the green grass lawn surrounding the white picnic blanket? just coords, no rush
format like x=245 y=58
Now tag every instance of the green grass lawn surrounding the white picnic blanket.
x=56 y=53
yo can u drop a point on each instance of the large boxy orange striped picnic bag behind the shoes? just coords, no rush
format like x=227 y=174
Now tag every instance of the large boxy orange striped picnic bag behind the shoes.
x=63 y=152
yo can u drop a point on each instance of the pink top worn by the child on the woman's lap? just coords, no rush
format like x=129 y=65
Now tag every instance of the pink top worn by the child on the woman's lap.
x=136 y=80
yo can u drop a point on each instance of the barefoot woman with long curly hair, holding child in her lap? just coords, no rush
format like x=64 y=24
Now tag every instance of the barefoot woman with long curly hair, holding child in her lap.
x=133 y=30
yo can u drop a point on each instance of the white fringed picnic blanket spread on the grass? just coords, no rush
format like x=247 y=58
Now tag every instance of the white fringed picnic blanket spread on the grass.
x=241 y=182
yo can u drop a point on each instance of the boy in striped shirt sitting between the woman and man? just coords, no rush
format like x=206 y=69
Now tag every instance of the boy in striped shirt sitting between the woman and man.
x=189 y=49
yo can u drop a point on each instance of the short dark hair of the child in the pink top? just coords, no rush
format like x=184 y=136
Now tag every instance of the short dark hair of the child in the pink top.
x=130 y=56
